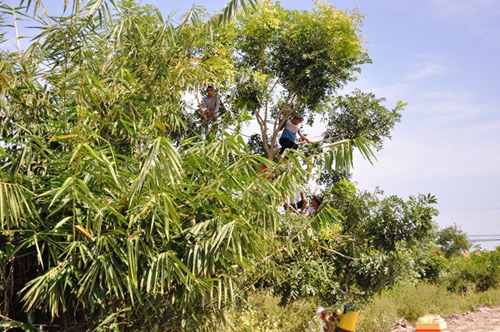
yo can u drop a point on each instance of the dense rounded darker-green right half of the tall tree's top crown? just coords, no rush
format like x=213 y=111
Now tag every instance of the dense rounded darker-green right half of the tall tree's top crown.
x=316 y=54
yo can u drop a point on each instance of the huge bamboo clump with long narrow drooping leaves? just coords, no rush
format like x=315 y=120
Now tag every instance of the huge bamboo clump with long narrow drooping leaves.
x=113 y=213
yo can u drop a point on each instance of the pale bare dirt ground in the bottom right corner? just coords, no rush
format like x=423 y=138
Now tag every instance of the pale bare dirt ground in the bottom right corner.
x=484 y=320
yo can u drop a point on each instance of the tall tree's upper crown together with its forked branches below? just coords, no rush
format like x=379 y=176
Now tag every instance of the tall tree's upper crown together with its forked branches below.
x=293 y=60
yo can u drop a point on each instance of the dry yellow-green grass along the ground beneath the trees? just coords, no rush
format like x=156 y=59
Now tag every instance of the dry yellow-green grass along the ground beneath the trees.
x=262 y=312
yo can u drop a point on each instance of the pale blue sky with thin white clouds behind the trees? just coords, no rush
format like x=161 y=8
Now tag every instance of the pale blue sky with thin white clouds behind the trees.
x=442 y=57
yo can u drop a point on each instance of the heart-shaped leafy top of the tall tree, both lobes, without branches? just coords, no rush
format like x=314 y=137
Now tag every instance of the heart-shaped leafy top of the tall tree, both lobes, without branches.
x=311 y=53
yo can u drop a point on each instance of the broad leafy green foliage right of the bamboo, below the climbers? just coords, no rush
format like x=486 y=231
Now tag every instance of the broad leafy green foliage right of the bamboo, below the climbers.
x=374 y=243
